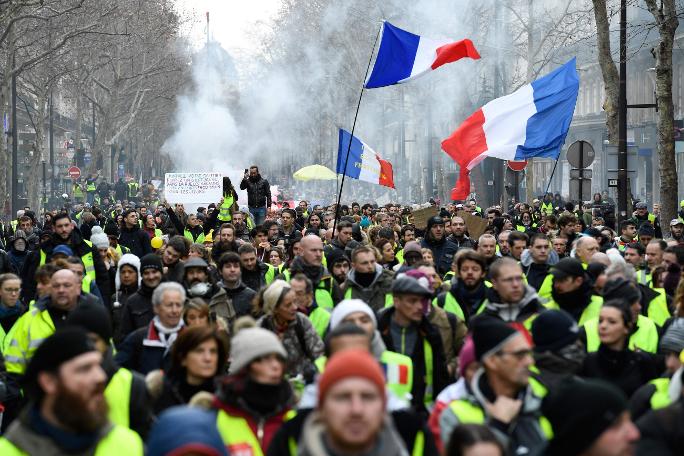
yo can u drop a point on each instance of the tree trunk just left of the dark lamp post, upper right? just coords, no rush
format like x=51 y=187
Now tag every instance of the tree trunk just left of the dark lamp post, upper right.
x=611 y=77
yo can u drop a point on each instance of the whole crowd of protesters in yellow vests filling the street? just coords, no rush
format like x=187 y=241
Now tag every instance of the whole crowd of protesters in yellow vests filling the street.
x=129 y=326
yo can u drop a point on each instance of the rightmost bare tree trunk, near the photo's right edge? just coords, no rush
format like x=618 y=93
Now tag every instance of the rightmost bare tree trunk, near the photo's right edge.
x=665 y=17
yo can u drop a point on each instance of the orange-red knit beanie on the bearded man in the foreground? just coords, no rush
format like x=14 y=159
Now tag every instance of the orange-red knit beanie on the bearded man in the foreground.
x=347 y=364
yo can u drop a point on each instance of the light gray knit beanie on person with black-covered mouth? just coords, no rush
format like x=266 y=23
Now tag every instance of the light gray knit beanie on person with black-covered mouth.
x=251 y=343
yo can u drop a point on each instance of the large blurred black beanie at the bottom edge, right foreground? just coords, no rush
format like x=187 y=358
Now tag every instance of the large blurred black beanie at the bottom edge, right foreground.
x=580 y=411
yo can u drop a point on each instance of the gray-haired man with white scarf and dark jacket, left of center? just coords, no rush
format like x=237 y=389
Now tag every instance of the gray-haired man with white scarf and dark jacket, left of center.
x=148 y=348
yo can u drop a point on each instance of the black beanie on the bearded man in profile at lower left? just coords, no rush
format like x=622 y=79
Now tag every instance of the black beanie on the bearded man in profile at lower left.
x=64 y=345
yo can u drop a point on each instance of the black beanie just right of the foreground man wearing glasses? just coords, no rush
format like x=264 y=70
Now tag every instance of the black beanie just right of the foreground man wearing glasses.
x=553 y=330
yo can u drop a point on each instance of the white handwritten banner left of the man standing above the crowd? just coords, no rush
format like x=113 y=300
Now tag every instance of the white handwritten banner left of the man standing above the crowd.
x=189 y=188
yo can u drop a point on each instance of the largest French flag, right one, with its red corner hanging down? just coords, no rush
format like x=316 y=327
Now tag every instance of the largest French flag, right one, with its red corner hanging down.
x=531 y=122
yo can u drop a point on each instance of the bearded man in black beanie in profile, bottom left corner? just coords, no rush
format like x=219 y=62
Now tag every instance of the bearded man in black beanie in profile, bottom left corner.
x=67 y=412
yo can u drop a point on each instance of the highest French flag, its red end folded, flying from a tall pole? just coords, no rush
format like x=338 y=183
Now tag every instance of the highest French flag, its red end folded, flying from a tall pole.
x=404 y=56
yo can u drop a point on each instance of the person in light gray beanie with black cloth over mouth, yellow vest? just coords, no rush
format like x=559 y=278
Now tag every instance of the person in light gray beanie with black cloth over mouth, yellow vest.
x=254 y=400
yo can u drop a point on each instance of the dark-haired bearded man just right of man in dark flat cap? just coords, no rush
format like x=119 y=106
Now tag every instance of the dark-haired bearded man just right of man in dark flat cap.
x=466 y=295
